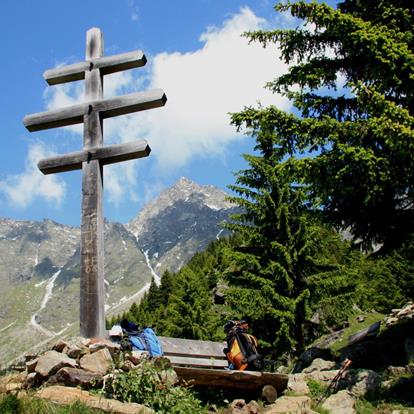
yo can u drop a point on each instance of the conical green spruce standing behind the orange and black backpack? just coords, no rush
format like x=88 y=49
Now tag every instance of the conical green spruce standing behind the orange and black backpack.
x=269 y=271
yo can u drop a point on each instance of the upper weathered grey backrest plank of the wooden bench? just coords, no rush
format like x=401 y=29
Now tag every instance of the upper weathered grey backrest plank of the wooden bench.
x=196 y=348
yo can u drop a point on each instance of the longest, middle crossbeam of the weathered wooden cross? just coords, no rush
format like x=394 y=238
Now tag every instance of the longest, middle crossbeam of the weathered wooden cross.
x=107 y=108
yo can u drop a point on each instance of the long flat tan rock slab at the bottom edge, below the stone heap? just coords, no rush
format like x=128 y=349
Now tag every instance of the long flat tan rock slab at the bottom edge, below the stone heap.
x=67 y=395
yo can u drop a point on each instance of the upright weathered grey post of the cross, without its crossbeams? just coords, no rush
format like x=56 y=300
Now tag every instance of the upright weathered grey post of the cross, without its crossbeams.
x=92 y=295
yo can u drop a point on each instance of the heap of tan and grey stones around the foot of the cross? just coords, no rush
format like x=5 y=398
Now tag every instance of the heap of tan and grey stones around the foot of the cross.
x=64 y=373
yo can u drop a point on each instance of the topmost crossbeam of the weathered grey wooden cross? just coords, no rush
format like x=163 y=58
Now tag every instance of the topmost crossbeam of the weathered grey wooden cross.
x=107 y=65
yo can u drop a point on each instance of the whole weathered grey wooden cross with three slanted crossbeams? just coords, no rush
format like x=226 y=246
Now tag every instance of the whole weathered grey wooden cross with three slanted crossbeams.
x=93 y=157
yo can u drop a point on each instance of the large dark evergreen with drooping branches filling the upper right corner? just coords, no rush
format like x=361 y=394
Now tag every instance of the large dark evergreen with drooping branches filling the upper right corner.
x=355 y=148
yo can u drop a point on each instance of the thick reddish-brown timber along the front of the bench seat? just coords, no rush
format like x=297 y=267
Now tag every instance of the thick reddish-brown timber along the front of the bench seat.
x=247 y=380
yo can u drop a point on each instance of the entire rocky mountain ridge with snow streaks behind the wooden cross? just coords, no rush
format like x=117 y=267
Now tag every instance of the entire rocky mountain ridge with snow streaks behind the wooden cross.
x=40 y=261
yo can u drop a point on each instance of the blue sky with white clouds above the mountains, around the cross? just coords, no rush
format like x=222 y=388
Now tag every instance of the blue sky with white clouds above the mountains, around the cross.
x=195 y=54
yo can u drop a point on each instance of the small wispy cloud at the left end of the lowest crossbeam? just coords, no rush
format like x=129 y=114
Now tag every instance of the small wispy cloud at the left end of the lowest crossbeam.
x=22 y=189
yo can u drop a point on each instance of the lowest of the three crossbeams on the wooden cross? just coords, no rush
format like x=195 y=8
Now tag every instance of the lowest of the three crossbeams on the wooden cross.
x=106 y=155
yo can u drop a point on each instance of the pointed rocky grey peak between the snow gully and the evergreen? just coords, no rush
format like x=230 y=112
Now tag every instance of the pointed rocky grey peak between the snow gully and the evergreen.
x=180 y=222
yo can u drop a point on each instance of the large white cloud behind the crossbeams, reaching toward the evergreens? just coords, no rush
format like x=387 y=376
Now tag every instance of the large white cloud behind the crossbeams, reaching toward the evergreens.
x=202 y=87
